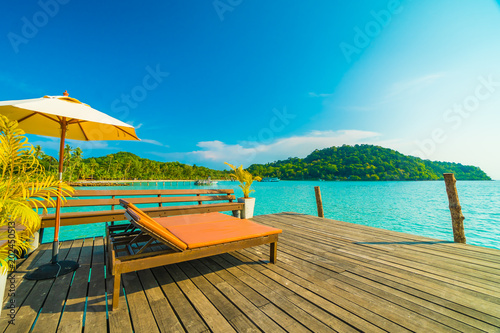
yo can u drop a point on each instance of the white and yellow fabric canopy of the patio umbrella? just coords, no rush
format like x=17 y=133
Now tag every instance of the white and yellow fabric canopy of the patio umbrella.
x=43 y=116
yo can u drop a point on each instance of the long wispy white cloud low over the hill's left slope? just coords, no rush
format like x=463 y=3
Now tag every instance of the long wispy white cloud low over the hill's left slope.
x=215 y=153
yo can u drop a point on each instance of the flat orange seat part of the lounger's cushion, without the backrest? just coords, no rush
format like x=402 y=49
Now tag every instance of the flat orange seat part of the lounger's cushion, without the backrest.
x=219 y=232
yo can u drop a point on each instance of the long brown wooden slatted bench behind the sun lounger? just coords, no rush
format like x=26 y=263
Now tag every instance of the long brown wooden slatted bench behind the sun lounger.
x=186 y=202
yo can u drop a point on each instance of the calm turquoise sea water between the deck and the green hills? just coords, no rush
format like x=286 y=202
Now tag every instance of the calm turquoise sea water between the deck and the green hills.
x=419 y=208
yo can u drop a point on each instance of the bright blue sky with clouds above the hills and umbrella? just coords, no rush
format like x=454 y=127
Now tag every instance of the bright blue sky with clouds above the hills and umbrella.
x=254 y=81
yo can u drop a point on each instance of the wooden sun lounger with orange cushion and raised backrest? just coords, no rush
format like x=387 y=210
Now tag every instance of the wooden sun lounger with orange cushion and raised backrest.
x=186 y=237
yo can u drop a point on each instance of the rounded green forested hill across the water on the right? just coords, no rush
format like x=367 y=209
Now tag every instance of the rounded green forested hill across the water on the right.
x=364 y=162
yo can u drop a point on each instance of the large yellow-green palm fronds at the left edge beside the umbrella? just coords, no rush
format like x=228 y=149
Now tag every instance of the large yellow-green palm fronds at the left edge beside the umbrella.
x=24 y=188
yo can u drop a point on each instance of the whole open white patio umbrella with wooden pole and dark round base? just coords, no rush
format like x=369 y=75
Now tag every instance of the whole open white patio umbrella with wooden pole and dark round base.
x=63 y=117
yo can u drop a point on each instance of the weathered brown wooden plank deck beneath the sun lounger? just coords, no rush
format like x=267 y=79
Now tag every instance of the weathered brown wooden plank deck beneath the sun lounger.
x=330 y=276
